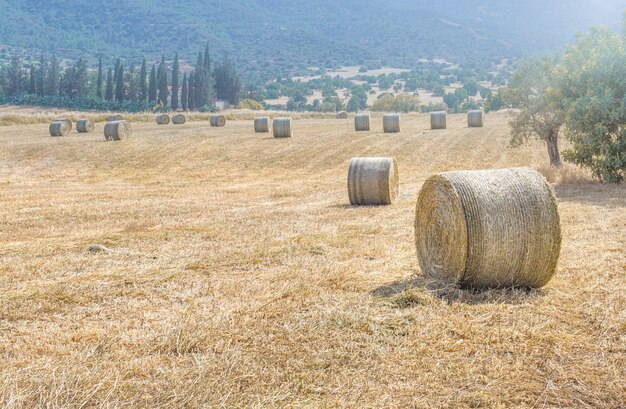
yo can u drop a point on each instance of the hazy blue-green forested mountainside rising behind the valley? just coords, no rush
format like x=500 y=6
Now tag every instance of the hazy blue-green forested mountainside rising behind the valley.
x=267 y=37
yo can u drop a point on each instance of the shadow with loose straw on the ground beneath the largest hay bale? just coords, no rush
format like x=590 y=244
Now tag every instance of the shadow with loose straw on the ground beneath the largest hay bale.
x=422 y=290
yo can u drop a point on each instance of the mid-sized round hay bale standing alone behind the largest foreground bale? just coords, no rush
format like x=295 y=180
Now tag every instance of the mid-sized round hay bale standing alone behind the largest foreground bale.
x=373 y=181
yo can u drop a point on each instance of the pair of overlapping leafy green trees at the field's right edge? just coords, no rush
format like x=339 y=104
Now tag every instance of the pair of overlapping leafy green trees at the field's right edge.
x=580 y=93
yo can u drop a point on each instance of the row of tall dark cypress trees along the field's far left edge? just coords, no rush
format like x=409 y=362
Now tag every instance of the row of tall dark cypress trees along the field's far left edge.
x=157 y=87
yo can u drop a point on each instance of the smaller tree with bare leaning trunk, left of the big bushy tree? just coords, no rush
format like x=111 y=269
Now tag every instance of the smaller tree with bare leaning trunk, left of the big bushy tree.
x=535 y=115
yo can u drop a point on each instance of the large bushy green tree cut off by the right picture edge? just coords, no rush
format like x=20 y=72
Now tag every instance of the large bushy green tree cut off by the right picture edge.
x=590 y=88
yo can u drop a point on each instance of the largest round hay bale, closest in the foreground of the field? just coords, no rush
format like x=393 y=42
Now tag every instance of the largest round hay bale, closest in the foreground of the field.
x=491 y=228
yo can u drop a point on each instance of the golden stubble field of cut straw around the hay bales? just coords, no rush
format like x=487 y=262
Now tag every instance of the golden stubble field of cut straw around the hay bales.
x=196 y=266
